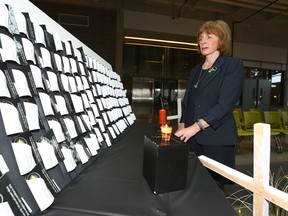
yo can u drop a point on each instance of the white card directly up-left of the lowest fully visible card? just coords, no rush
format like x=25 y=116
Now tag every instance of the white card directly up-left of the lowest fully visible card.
x=24 y=157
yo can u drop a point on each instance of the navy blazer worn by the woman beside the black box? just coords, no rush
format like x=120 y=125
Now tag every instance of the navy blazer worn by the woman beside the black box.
x=215 y=101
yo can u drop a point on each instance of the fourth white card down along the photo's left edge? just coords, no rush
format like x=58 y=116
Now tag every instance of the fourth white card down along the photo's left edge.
x=11 y=120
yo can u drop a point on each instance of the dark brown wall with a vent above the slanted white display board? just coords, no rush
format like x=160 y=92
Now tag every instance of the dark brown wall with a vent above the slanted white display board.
x=99 y=35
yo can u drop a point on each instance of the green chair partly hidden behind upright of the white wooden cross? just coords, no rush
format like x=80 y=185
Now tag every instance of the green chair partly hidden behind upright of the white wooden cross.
x=253 y=117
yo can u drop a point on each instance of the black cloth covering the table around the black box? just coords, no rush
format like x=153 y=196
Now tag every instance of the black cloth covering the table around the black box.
x=114 y=185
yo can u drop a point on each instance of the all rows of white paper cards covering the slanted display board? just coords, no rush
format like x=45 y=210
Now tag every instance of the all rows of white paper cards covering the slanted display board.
x=49 y=85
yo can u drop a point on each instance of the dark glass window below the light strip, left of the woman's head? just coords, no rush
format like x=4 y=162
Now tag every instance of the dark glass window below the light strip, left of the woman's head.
x=158 y=62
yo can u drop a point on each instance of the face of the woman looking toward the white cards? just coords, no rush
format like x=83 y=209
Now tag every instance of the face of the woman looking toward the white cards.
x=208 y=43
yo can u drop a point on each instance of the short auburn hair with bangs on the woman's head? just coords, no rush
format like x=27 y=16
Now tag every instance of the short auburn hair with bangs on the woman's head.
x=222 y=30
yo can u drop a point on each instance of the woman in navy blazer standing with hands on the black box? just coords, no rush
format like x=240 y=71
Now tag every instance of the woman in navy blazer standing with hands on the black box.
x=214 y=87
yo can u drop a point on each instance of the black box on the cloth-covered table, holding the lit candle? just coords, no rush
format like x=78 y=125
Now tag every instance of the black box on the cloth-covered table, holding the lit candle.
x=165 y=164
